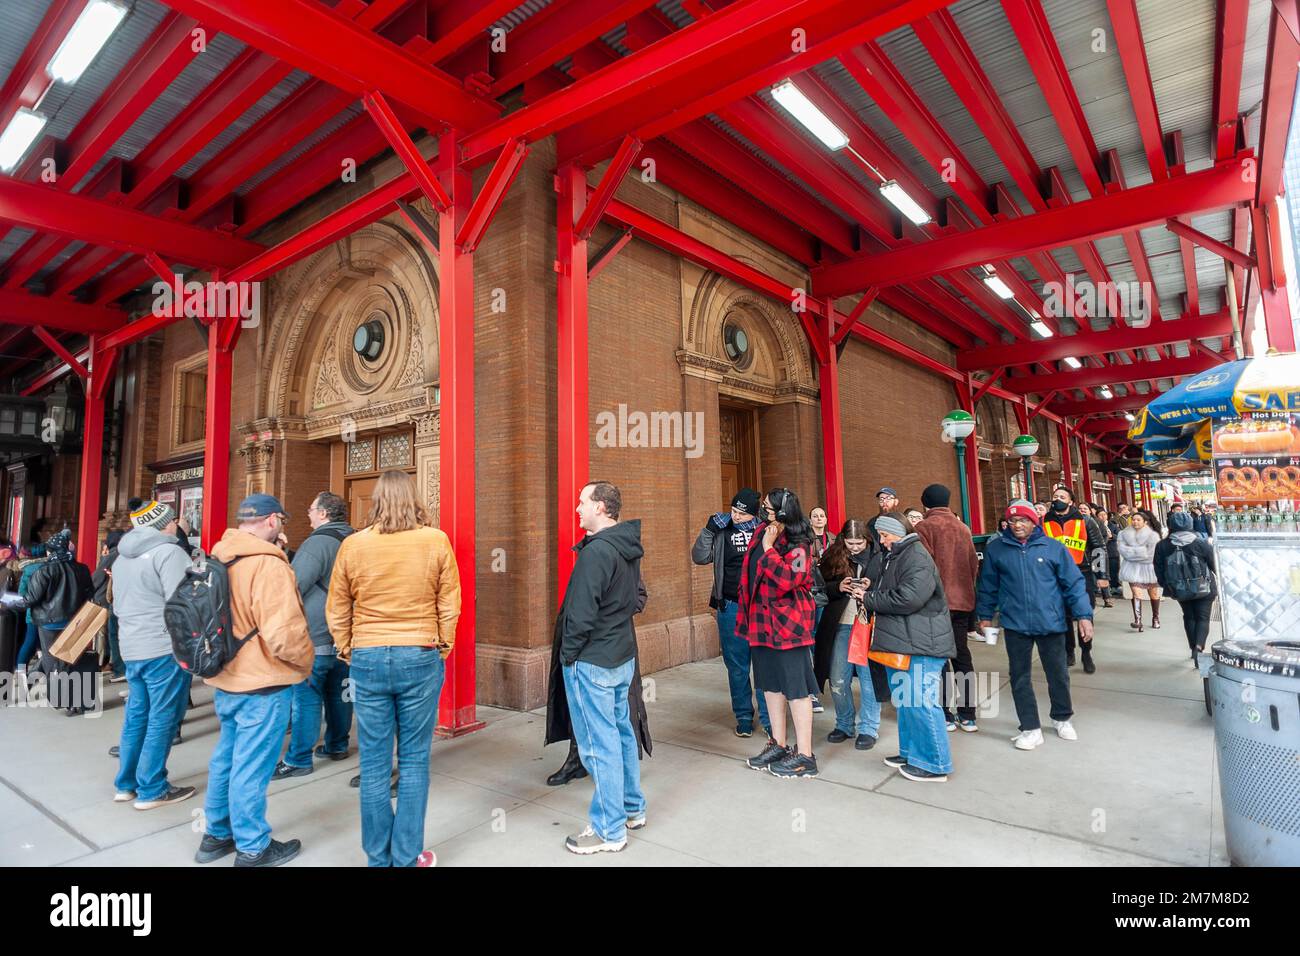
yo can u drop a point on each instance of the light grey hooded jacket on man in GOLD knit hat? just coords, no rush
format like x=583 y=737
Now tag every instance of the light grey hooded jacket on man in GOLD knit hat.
x=149 y=569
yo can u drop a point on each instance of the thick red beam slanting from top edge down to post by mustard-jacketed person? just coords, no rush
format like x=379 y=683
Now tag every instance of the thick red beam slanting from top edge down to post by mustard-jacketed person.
x=339 y=51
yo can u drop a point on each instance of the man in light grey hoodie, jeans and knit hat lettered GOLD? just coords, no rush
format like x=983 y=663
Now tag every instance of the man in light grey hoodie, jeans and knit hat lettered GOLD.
x=149 y=569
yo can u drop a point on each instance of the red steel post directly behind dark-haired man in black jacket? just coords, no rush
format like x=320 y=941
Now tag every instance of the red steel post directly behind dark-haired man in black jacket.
x=571 y=406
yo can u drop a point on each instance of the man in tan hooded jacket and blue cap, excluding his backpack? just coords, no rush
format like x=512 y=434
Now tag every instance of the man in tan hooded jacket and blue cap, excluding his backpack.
x=254 y=690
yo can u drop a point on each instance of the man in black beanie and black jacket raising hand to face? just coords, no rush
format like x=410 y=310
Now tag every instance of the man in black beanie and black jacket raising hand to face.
x=725 y=543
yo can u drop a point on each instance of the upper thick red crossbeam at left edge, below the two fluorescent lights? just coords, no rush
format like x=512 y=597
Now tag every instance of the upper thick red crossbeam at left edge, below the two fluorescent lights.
x=79 y=218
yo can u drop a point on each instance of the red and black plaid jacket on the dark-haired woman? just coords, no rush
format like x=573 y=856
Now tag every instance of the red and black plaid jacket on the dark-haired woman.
x=782 y=611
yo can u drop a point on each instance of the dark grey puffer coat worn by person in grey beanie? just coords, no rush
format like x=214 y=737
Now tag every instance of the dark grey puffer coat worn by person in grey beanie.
x=908 y=598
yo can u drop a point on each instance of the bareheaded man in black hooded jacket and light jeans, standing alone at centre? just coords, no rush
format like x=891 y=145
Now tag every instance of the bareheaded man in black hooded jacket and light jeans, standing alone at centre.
x=599 y=648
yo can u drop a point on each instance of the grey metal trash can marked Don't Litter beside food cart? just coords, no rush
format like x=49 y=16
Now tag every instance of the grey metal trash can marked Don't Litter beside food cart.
x=1255 y=689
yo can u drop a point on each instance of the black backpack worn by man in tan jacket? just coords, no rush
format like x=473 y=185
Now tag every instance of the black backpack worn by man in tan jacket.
x=198 y=618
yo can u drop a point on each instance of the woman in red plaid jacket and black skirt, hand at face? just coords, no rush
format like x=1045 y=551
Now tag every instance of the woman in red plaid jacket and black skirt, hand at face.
x=775 y=615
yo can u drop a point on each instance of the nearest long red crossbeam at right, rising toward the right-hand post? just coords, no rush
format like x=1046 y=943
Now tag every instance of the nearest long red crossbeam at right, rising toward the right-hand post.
x=1134 y=209
